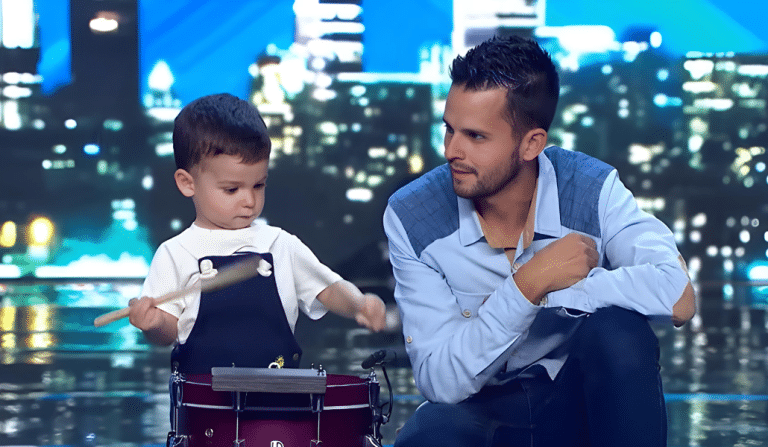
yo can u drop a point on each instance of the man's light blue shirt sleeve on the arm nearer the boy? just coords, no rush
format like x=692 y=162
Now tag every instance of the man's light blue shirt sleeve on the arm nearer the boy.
x=452 y=355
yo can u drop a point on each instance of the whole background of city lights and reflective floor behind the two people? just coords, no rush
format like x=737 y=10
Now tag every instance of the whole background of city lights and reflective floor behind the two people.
x=86 y=190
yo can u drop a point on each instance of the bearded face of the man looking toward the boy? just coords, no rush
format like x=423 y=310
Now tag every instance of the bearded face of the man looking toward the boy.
x=479 y=143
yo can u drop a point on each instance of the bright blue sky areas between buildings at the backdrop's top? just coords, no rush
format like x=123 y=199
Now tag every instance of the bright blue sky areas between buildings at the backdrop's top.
x=208 y=56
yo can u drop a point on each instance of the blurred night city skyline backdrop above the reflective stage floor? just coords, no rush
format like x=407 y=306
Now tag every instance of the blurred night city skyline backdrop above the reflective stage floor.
x=357 y=110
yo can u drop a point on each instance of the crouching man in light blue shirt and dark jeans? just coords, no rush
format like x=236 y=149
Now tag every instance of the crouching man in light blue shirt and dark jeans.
x=525 y=275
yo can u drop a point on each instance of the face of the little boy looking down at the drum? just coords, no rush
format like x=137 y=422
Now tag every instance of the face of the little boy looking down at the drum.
x=227 y=194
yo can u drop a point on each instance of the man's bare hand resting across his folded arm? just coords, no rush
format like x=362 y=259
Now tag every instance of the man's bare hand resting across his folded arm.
x=559 y=265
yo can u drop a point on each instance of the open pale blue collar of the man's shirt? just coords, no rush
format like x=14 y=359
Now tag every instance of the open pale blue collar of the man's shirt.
x=546 y=219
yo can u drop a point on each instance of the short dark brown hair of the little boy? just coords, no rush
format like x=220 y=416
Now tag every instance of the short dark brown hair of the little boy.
x=219 y=124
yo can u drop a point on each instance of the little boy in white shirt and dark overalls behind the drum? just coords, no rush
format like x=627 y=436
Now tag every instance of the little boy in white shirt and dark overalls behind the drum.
x=222 y=147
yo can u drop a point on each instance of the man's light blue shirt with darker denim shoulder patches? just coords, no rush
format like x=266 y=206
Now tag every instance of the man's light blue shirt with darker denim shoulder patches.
x=465 y=322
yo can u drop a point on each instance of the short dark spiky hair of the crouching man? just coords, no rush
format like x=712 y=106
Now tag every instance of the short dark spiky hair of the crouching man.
x=522 y=67
